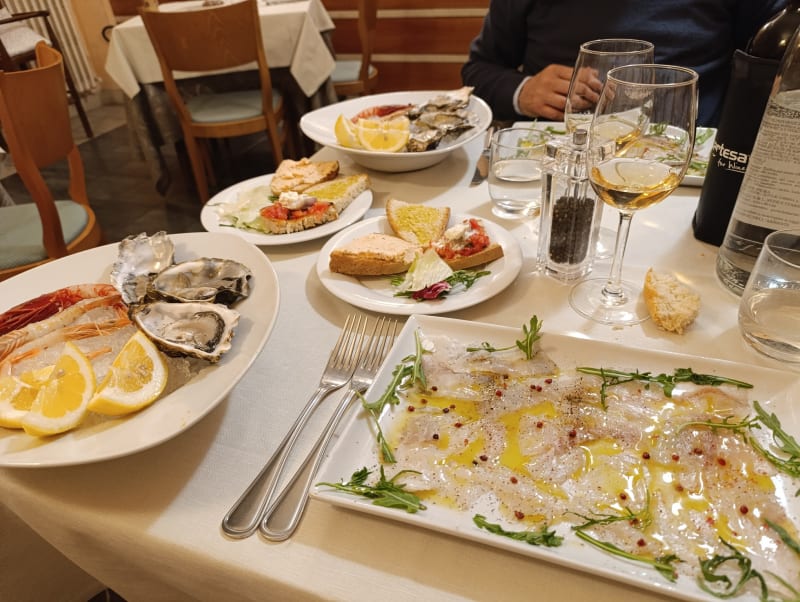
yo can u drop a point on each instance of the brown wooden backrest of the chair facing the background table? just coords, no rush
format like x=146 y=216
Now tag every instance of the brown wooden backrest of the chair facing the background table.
x=208 y=39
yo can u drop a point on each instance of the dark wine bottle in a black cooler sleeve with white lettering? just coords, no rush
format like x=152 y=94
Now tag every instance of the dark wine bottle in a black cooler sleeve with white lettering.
x=752 y=75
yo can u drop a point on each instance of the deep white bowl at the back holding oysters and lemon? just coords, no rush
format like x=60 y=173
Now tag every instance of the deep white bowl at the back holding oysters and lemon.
x=318 y=125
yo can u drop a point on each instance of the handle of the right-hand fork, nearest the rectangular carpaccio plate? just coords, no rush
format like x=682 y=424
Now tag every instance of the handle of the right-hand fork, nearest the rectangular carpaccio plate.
x=284 y=514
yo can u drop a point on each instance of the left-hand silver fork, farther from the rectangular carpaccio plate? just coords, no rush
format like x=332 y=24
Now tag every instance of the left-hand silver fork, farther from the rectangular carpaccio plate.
x=244 y=516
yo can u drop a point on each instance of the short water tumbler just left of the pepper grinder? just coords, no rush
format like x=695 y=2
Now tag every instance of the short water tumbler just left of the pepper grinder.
x=515 y=171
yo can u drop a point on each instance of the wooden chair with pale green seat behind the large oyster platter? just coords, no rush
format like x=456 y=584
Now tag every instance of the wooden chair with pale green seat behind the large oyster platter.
x=34 y=113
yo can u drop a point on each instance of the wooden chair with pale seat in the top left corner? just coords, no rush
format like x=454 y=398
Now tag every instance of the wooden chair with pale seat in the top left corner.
x=17 y=48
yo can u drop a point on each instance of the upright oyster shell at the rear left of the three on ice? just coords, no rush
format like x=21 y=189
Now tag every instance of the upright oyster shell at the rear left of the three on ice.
x=138 y=259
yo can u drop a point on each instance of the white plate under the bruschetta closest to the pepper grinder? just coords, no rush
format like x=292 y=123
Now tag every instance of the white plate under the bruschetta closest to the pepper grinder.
x=377 y=294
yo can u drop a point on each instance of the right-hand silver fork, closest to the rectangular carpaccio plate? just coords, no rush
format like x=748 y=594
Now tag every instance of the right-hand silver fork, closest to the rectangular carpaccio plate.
x=284 y=514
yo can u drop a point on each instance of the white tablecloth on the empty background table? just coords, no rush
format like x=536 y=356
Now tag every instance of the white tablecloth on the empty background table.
x=292 y=33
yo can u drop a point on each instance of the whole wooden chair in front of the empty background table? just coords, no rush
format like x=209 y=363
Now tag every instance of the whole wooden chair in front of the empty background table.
x=211 y=39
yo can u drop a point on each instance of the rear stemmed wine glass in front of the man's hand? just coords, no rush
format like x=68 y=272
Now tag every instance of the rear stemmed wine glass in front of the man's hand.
x=595 y=59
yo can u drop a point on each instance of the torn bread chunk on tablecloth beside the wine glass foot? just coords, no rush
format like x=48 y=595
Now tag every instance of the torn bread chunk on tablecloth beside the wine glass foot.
x=672 y=306
